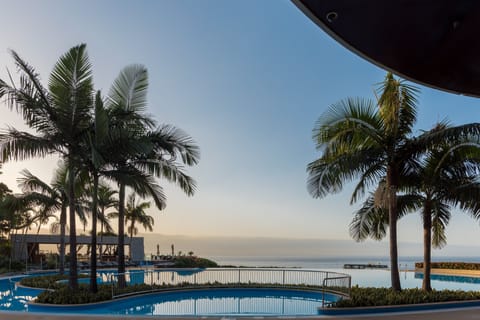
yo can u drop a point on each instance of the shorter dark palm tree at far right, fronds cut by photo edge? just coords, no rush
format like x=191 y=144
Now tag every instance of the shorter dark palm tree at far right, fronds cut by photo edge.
x=446 y=179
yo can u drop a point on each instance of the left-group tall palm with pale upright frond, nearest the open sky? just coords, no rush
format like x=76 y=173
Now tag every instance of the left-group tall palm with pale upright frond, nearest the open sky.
x=142 y=152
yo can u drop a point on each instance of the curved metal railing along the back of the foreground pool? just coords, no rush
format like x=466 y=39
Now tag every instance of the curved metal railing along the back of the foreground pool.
x=272 y=277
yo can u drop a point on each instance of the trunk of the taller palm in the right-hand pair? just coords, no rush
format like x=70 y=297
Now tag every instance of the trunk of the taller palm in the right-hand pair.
x=392 y=220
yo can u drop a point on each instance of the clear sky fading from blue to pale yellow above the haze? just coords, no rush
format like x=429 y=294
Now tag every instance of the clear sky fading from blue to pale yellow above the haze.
x=247 y=80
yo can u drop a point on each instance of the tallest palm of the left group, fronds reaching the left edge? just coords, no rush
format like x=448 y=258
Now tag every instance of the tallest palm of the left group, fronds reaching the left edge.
x=60 y=116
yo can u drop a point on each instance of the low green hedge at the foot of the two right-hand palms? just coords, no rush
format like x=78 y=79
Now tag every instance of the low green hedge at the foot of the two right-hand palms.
x=370 y=297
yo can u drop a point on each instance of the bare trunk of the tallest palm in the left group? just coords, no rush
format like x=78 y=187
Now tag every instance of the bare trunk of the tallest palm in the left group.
x=73 y=274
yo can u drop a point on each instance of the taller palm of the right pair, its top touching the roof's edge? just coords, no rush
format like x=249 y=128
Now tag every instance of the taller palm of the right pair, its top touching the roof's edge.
x=358 y=140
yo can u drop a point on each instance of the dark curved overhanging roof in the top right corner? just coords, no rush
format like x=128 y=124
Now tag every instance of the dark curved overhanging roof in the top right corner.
x=432 y=42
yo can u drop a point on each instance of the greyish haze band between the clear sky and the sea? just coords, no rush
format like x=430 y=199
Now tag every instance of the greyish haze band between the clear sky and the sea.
x=290 y=247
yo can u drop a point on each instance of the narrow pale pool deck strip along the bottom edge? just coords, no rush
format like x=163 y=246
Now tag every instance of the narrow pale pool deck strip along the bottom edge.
x=463 y=314
